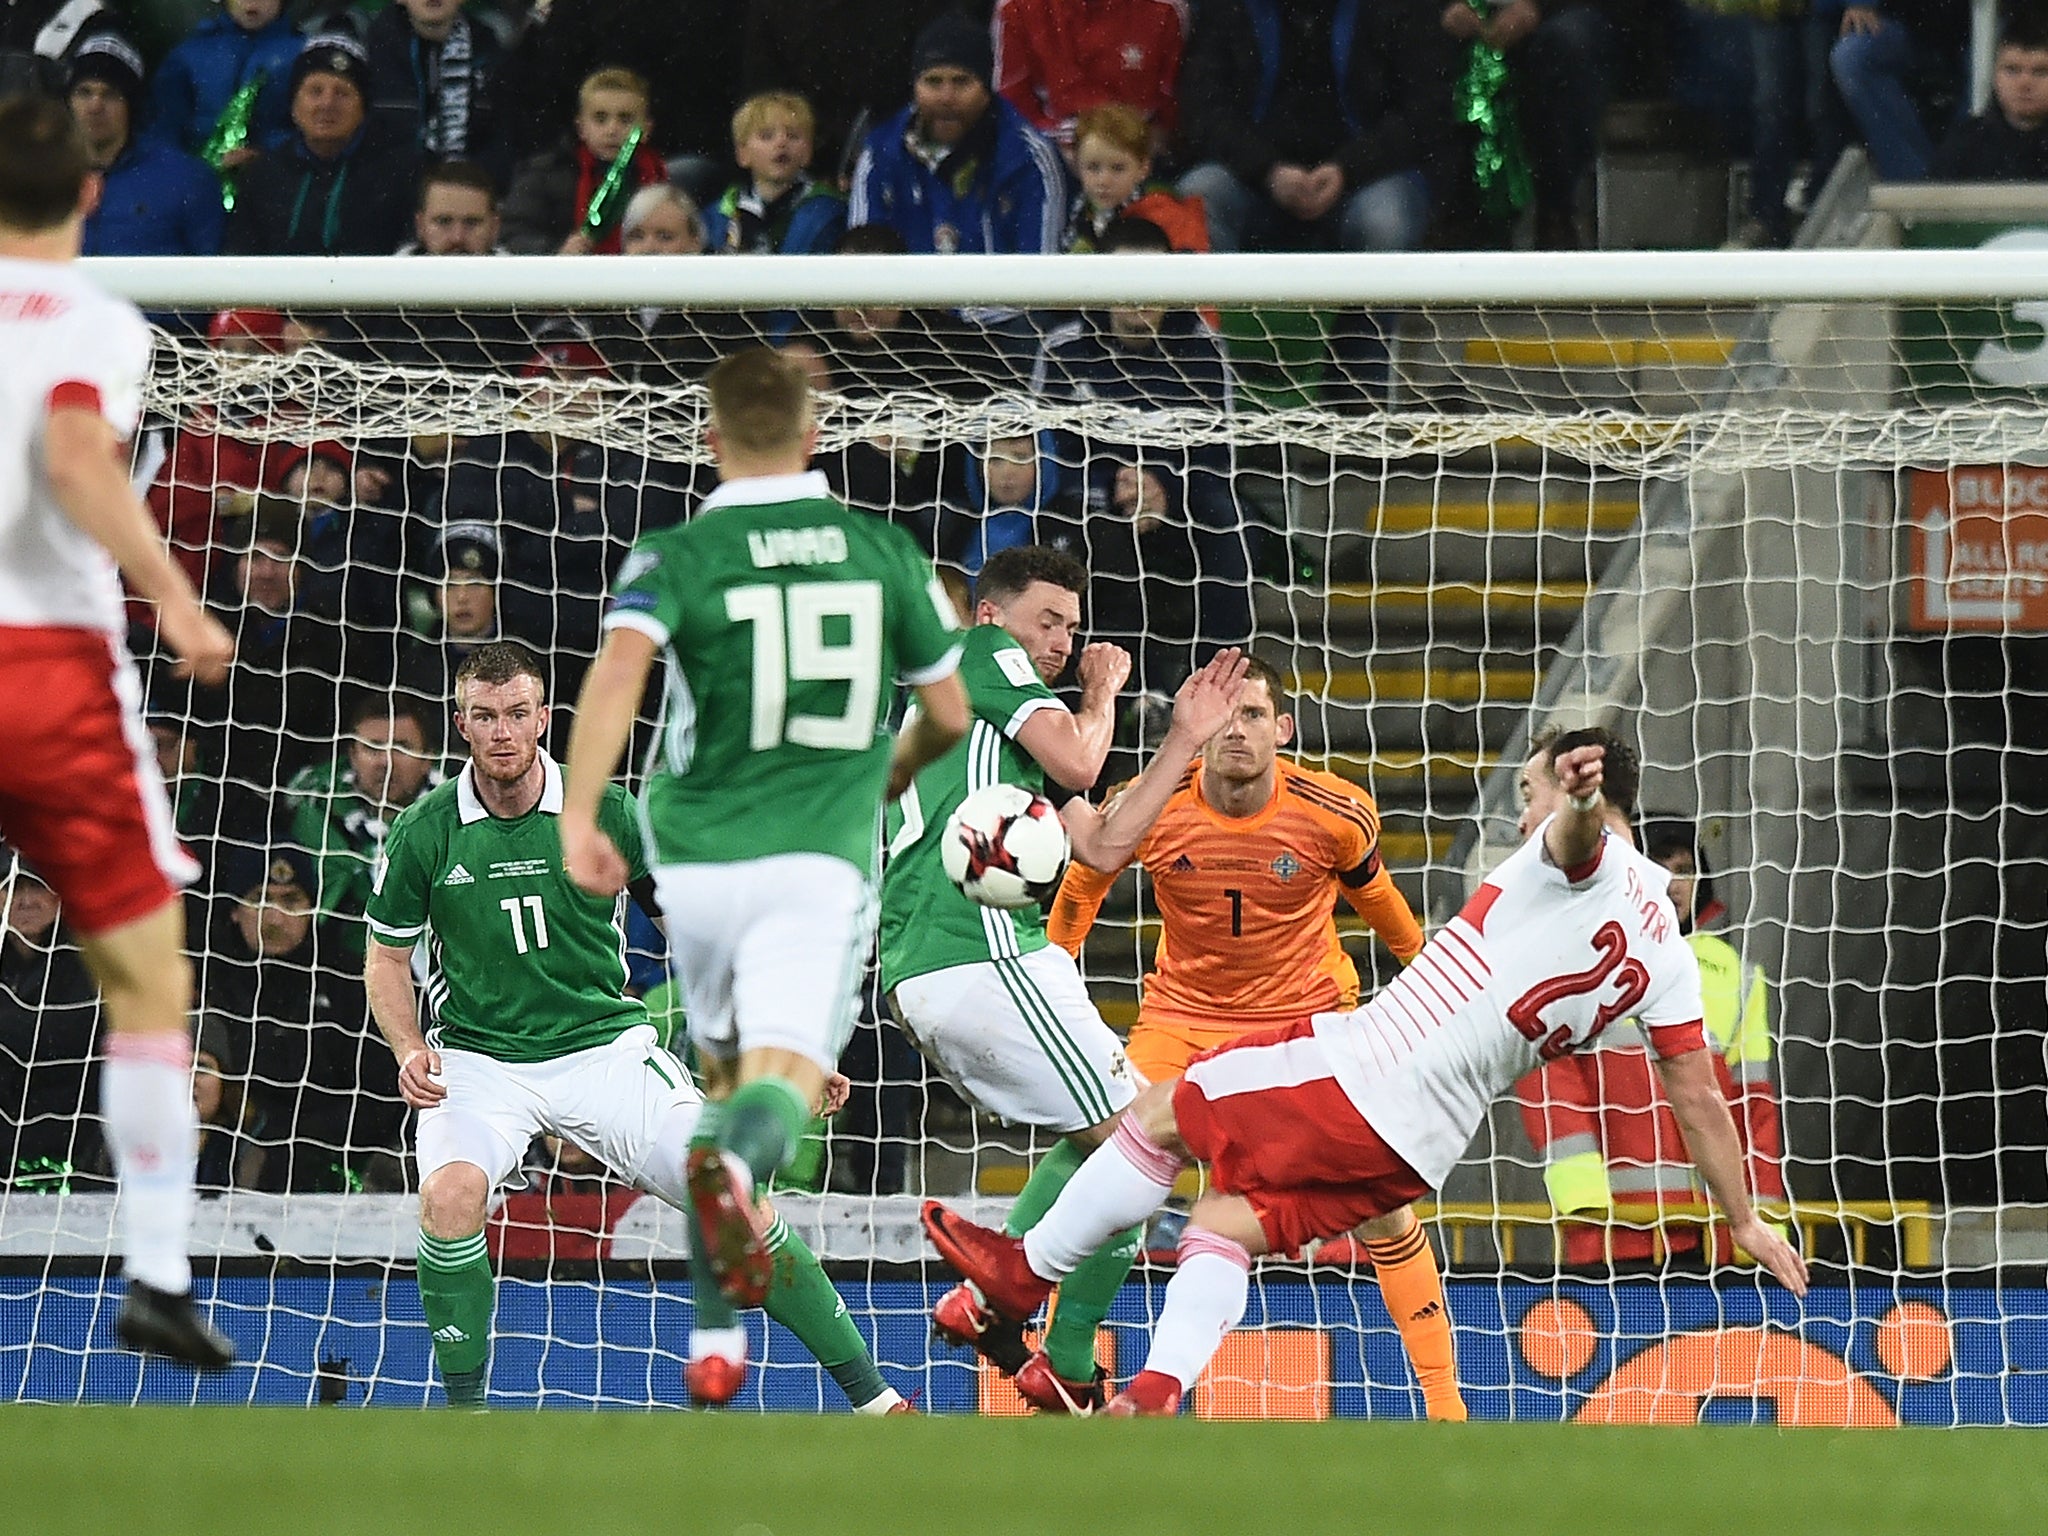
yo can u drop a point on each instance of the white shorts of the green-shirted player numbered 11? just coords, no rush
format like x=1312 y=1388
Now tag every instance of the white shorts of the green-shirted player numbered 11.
x=622 y=1103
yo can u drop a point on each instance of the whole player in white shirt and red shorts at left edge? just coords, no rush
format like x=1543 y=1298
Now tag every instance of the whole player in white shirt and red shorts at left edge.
x=81 y=796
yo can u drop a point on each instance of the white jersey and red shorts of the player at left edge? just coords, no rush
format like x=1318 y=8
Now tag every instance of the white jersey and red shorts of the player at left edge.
x=81 y=794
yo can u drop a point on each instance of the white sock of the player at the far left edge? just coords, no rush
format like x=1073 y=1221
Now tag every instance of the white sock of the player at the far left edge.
x=146 y=1099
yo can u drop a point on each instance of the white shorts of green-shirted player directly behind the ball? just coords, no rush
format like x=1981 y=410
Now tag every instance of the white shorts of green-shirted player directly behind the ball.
x=1021 y=1039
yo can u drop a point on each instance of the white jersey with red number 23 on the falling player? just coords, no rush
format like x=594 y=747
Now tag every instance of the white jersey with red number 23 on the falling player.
x=1533 y=970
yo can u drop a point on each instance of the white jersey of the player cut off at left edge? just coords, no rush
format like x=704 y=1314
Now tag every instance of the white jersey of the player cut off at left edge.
x=62 y=343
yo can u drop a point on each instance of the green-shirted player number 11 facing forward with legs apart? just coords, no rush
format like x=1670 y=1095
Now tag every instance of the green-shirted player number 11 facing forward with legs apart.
x=536 y=1031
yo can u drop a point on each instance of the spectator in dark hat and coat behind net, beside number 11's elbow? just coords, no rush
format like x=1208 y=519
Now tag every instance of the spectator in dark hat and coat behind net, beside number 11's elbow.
x=323 y=1089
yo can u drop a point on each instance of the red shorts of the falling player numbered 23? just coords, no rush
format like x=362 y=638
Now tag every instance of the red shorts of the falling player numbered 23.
x=1273 y=1125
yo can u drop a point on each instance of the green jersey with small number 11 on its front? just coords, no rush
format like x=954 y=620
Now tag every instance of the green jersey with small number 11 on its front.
x=525 y=964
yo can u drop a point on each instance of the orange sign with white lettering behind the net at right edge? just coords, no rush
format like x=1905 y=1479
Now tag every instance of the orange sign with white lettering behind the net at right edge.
x=1979 y=550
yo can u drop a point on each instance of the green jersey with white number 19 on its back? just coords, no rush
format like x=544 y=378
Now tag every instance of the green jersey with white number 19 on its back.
x=785 y=620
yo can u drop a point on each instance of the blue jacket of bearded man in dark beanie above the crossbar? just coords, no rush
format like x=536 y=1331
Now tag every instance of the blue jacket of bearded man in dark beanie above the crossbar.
x=1005 y=189
